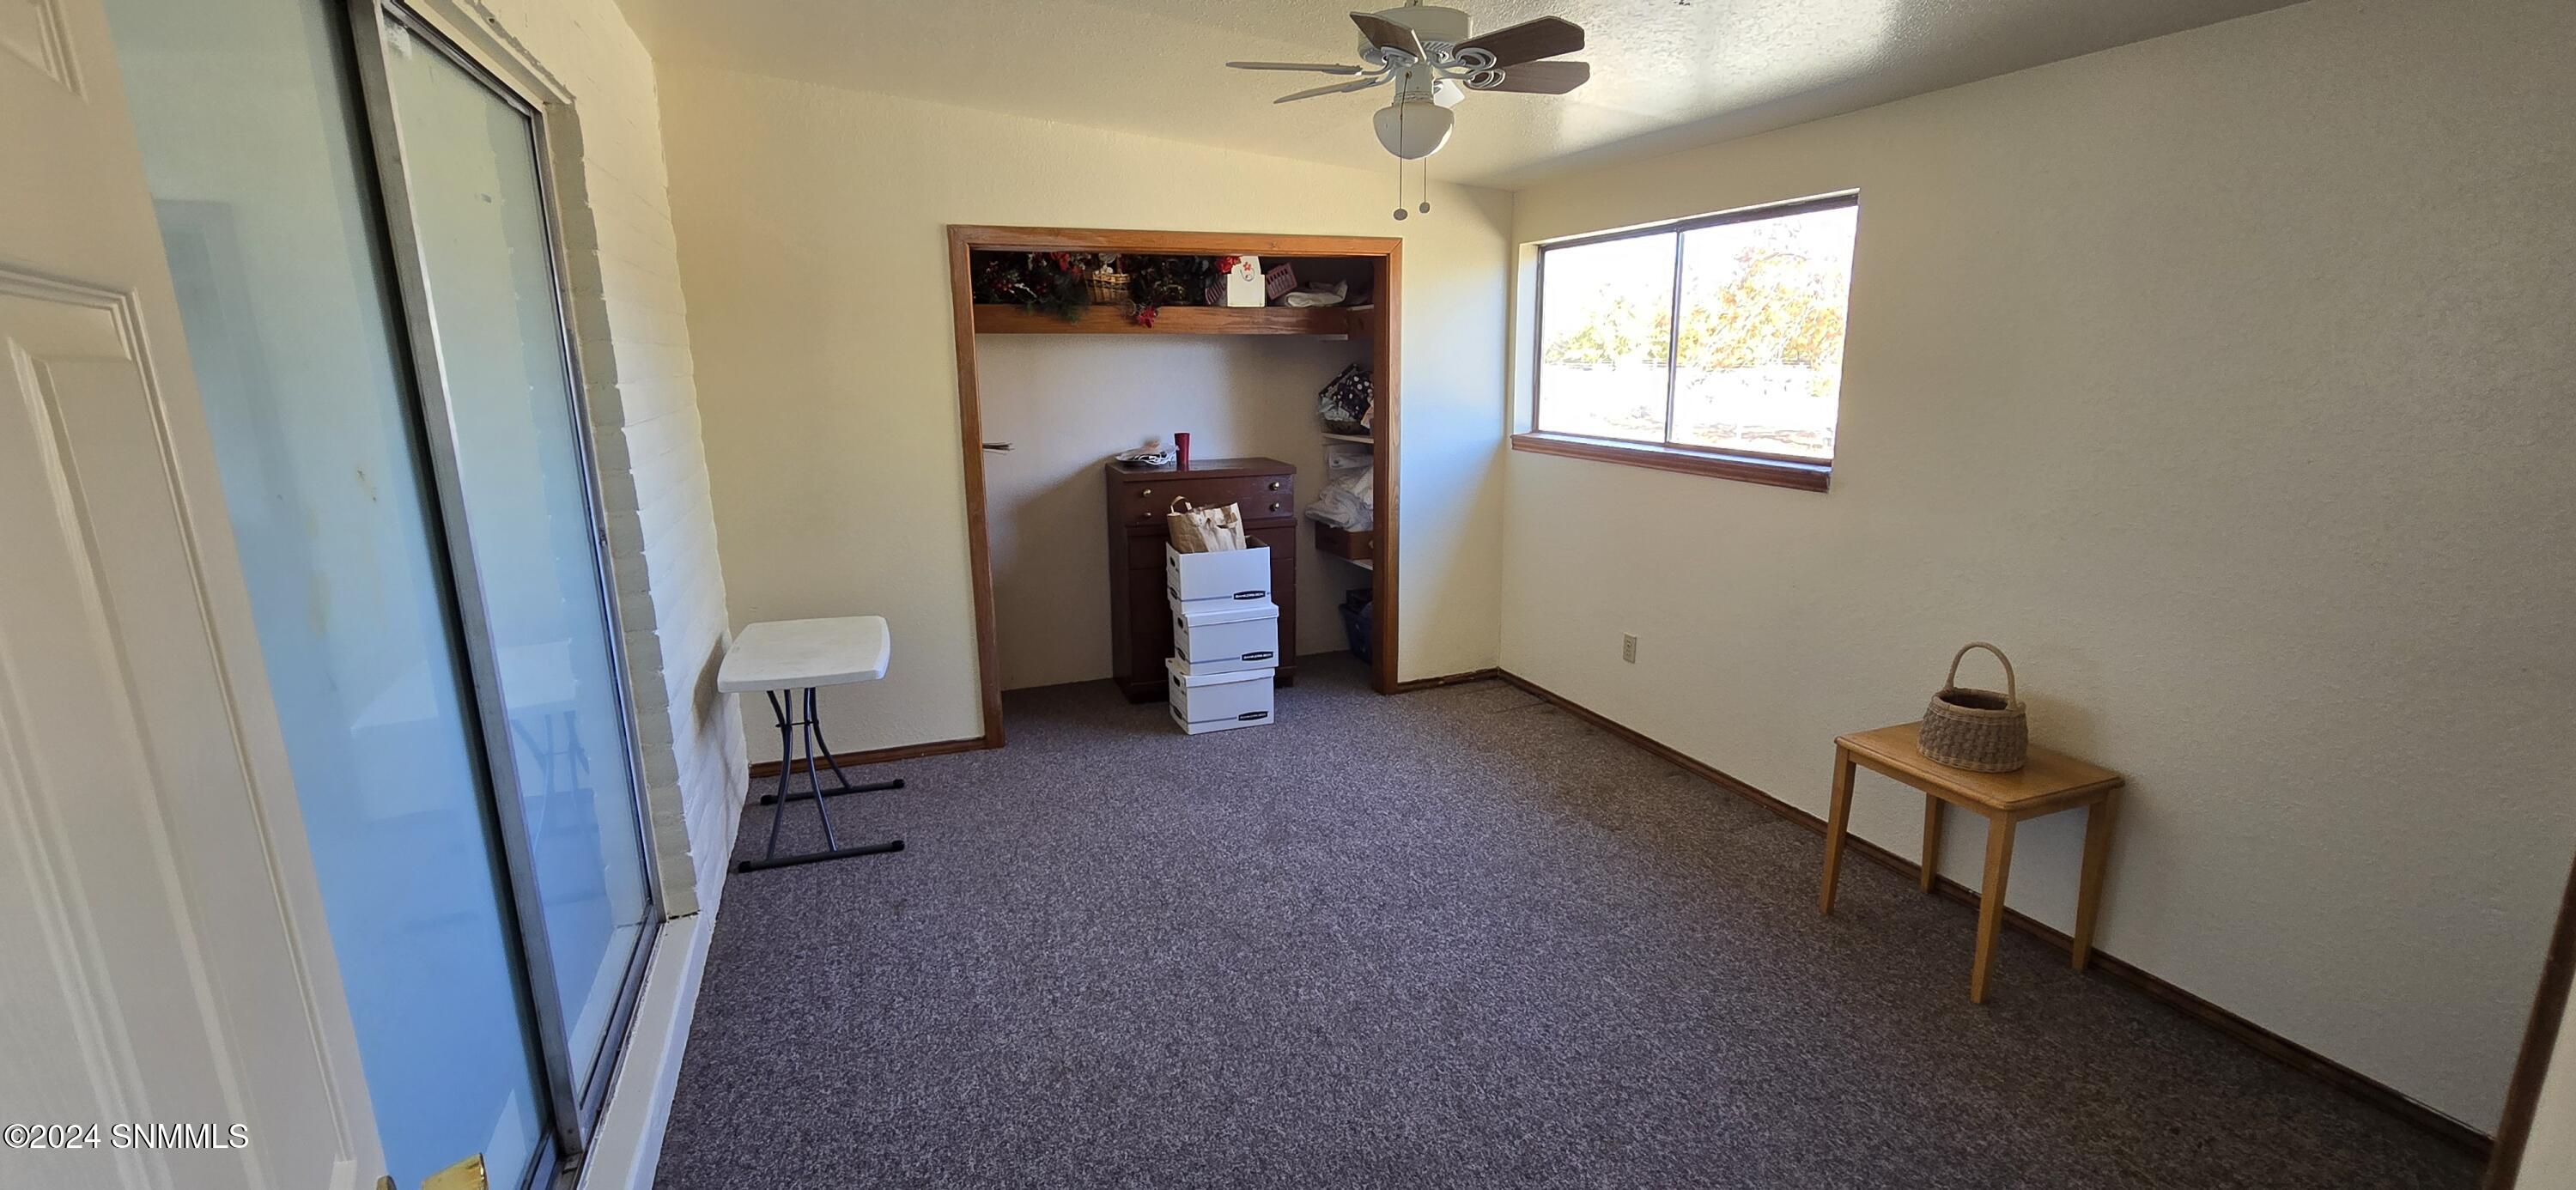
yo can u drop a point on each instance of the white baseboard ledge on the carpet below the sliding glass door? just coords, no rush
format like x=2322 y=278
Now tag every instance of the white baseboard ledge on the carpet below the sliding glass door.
x=627 y=1147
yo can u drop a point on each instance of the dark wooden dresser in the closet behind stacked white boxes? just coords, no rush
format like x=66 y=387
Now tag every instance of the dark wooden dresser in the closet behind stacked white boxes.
x=1137 y=504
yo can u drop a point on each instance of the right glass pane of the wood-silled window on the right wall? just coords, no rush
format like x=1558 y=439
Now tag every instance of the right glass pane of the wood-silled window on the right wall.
x=1763 y=334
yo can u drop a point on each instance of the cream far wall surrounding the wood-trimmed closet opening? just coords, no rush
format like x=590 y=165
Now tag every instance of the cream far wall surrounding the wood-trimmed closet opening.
x=813 y=241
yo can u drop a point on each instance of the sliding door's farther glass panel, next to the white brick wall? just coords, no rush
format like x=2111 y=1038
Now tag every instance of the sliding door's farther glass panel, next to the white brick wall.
x=470 y=169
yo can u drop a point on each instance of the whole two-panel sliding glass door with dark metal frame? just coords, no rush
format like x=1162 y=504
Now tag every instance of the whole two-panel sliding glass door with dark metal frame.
x=359 y=228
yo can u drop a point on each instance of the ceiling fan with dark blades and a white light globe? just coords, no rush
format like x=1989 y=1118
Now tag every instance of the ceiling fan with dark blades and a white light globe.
x=1428 y=55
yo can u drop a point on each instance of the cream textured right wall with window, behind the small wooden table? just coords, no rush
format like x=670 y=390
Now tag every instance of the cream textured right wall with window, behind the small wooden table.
x=2227 y=382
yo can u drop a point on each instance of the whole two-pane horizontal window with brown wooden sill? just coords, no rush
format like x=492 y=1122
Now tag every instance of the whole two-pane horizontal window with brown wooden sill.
x=1701 y=346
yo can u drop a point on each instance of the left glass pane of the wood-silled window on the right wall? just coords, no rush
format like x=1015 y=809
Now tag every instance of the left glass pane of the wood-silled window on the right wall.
x=1606 y=321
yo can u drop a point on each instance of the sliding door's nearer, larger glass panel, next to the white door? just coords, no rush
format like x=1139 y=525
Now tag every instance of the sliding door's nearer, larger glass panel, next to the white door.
x=254 y=140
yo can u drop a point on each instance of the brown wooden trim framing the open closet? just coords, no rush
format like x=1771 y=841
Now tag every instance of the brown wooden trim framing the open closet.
x=1382 y=352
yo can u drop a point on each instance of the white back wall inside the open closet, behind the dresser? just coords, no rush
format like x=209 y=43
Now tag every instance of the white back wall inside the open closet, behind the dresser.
x=1073 y=401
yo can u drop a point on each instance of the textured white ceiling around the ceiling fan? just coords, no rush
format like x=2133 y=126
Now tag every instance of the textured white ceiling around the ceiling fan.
x=1665 y=73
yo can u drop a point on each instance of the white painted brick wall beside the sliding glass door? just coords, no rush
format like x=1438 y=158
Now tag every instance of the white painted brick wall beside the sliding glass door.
x=632 y=326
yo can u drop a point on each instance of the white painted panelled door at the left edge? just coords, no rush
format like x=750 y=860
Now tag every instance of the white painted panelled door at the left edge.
x=169 y=1003
